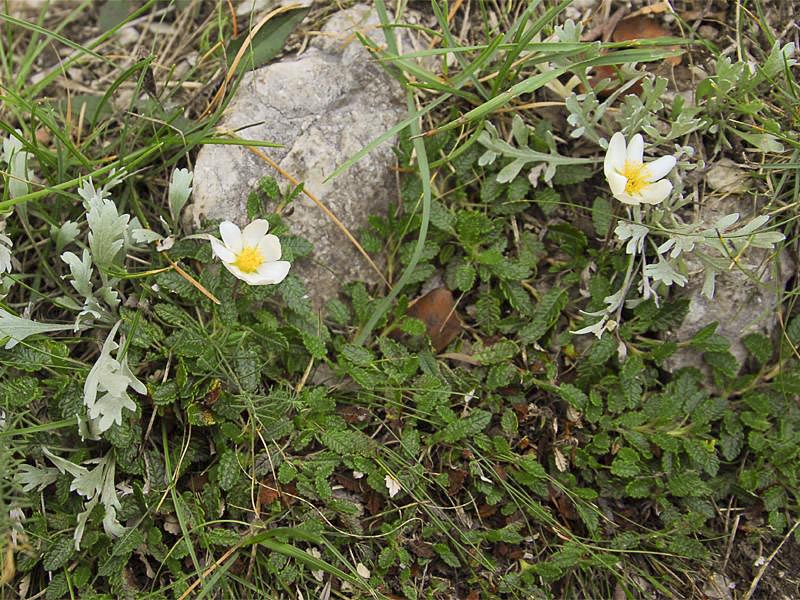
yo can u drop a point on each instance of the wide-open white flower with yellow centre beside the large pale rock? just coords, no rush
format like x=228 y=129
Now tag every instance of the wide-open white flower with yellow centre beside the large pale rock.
x=251 y=255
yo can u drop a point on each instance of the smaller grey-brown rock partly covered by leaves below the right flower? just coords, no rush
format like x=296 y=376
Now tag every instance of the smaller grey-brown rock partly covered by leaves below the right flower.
x=746 y=300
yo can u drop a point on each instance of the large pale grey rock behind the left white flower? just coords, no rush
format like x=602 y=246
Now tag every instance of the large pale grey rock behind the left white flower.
x=322 y=107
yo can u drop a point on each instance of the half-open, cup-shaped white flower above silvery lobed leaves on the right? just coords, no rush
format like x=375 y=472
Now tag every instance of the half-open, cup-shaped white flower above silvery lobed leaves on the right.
x=631 y=180
